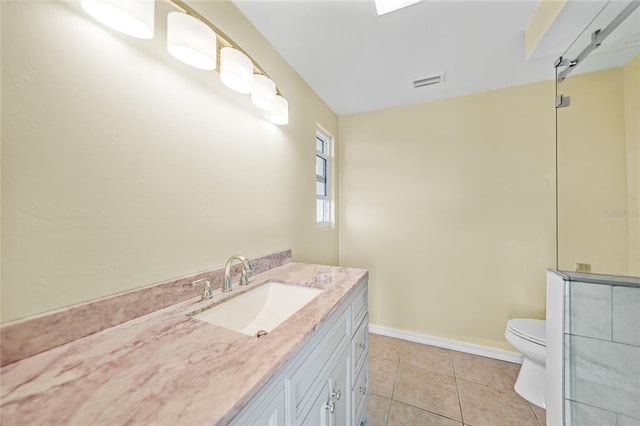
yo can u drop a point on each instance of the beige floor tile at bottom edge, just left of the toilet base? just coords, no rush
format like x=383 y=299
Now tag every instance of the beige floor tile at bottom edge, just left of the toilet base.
x=484 y=406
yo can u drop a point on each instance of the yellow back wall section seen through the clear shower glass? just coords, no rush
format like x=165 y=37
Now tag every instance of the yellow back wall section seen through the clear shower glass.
x=592 y=175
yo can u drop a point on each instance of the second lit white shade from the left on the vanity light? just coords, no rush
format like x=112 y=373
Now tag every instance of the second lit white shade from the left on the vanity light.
x=191 y=41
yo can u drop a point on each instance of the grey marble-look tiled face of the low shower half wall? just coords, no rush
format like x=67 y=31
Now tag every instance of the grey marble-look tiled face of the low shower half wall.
x=602 y=354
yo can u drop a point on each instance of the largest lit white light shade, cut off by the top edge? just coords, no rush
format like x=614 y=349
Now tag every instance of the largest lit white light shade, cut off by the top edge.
x=131 y=17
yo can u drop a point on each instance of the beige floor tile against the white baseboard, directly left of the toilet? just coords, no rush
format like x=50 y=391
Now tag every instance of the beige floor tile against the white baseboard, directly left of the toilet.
x=485 y=371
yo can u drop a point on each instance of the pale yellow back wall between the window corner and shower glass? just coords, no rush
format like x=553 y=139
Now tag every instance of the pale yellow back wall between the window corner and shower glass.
x=451 y=206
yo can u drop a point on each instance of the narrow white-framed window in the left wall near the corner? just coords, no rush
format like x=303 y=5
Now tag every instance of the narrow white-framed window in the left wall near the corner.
x=323 y=179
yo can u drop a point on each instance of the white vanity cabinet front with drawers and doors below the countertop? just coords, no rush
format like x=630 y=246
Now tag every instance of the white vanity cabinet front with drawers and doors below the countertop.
x=326 y=381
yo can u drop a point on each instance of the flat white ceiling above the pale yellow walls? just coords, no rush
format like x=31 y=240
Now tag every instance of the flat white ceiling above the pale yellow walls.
x=357 y=61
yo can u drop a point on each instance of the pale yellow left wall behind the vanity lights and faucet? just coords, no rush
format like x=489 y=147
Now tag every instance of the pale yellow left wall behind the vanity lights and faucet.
x=122 y=167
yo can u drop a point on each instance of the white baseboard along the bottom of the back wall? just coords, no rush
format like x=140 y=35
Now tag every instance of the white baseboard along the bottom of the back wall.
x=456 y=345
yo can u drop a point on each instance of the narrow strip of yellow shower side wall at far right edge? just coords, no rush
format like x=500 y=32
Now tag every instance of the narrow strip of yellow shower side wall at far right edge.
x=631 y=75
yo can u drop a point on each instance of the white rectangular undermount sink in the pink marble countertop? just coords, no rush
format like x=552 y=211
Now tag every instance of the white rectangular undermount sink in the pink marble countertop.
x=261 y=309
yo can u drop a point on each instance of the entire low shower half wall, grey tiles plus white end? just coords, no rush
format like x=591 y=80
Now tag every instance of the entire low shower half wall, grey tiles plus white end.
x=593 y=349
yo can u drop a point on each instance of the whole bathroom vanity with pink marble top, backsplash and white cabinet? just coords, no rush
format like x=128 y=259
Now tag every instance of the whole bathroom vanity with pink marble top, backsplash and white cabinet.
x=168 y=367
